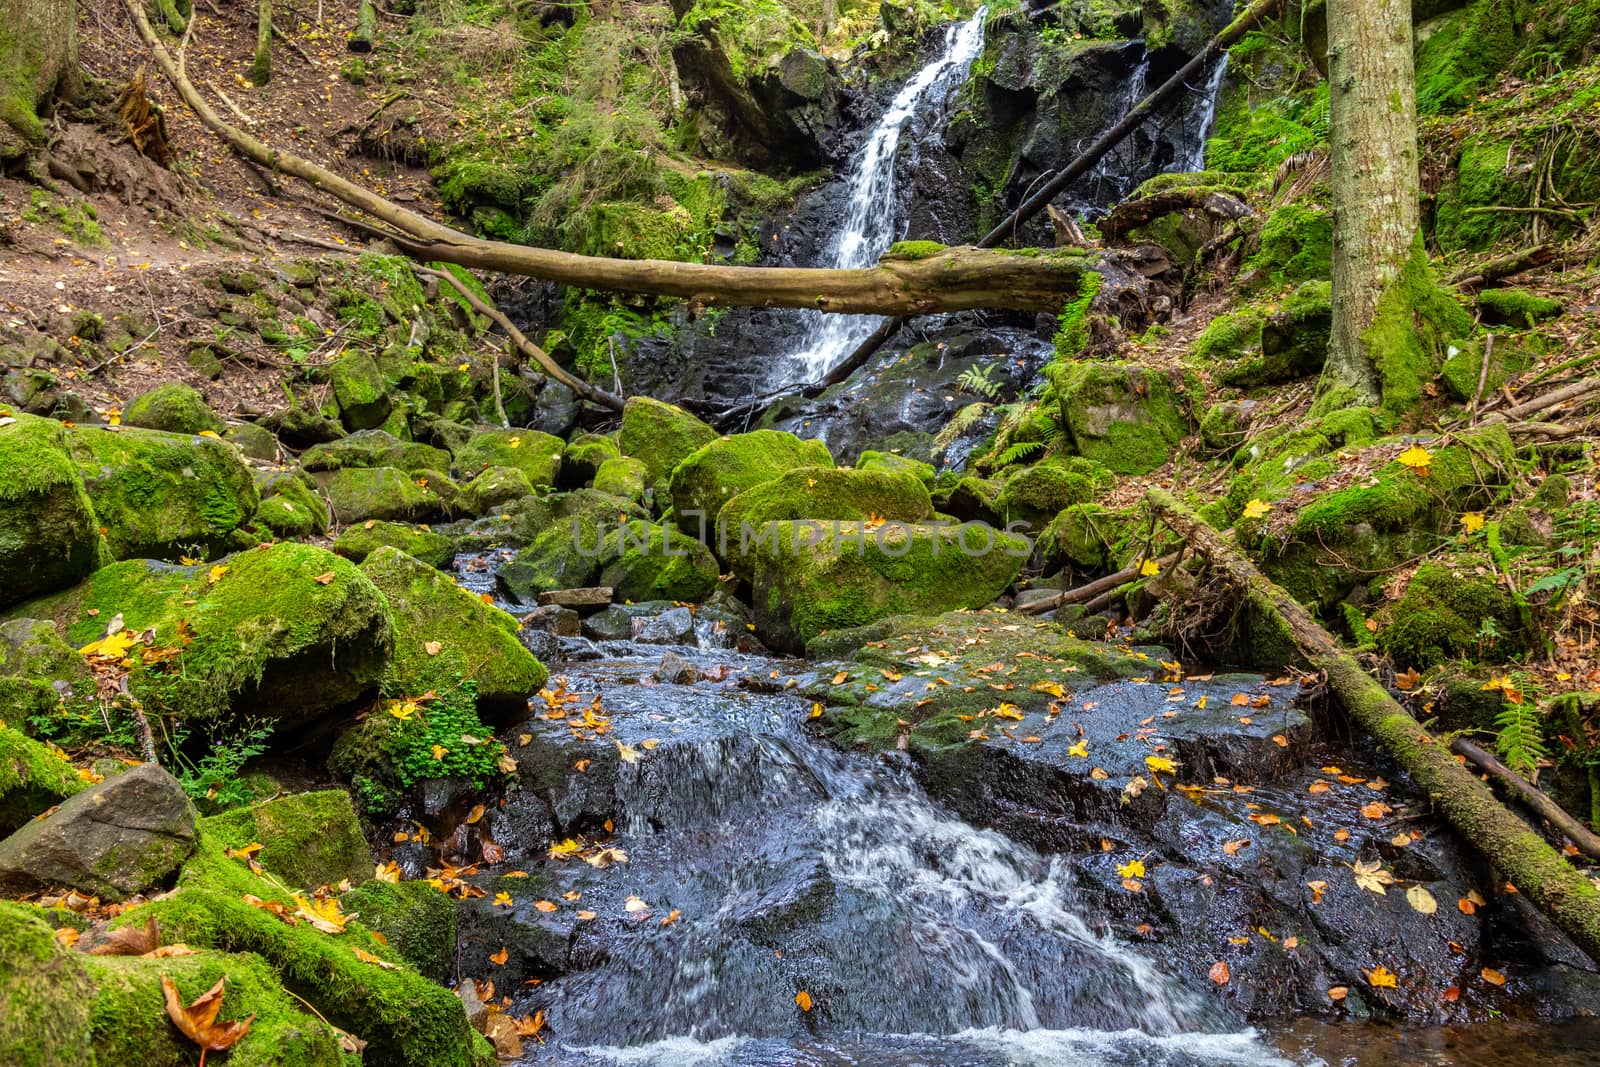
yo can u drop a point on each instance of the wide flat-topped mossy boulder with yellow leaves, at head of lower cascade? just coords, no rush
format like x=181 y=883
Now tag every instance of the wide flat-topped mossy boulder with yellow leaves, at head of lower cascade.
x=815 y=577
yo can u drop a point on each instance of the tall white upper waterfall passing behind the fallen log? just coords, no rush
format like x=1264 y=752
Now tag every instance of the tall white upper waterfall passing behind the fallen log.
x=874 y=217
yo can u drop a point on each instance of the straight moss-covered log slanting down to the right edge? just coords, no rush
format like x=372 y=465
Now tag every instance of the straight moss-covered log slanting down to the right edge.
x=1559 y=890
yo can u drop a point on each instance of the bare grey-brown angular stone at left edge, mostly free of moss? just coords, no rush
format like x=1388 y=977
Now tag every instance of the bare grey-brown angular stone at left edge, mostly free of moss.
x=111 y=841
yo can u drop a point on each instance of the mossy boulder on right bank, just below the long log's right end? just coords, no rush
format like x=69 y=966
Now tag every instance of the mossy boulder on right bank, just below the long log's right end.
x=1124 y=417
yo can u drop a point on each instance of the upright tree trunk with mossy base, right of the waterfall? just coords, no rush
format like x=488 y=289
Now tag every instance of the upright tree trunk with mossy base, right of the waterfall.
x=1390 y=318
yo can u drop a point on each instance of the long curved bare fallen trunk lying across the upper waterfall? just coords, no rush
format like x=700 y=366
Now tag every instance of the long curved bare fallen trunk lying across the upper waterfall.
x=954 y=279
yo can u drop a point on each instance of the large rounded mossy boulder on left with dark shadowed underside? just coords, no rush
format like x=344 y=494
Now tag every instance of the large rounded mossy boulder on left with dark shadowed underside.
x=273 y=636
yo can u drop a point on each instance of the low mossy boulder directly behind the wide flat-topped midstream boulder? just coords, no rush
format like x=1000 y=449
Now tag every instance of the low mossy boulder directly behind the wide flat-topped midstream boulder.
x=818 y=494
